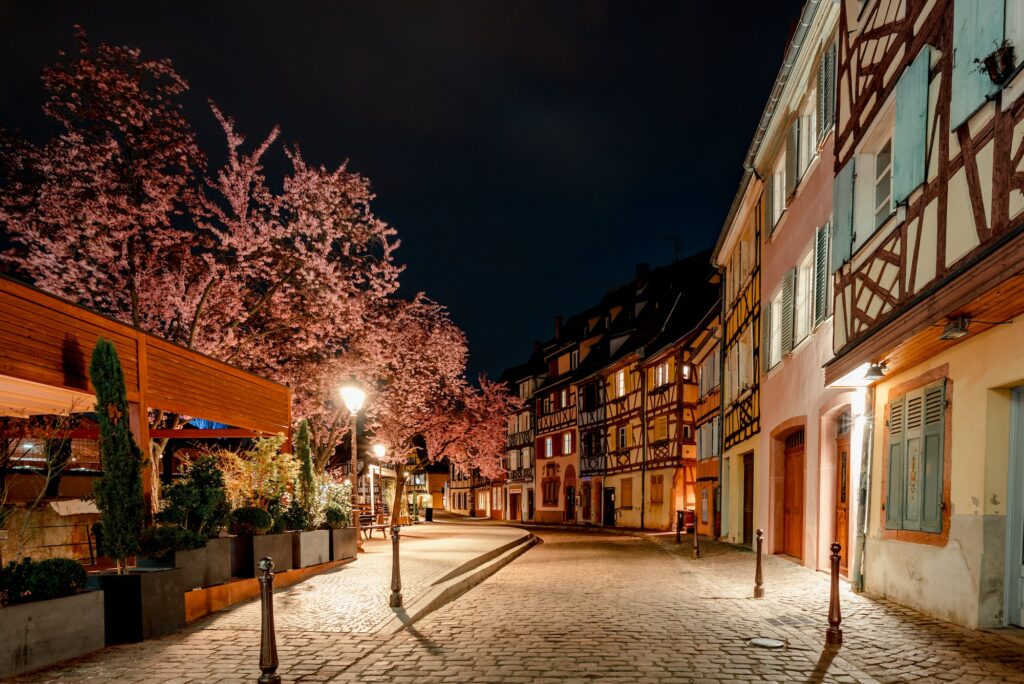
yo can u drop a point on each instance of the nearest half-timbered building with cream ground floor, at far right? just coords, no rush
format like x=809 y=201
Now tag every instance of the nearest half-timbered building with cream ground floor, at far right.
x=929 y=290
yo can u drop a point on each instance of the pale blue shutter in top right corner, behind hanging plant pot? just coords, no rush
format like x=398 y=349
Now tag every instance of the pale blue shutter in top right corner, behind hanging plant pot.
x=977 y=32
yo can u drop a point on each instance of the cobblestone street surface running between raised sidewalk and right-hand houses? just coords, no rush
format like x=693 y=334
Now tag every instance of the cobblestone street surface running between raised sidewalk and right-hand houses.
x=595 y=607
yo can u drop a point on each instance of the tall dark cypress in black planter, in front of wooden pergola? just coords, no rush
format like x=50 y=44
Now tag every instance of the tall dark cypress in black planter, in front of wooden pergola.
x=141 y=605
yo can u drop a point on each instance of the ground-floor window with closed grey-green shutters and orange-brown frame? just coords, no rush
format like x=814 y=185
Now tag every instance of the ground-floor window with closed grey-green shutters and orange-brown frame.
x=916 y=478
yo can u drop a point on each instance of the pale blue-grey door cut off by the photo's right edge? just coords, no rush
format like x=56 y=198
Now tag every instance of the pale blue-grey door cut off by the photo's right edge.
x=1014 y=582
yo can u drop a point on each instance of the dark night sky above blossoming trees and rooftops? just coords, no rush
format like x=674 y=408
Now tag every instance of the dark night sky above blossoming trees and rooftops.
x=530 y=154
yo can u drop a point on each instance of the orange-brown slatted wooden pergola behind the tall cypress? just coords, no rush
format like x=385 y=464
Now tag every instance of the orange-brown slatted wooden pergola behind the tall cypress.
x=46 y=348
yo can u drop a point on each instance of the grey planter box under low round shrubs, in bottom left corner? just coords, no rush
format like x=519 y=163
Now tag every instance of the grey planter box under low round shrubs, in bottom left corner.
x=44 y=633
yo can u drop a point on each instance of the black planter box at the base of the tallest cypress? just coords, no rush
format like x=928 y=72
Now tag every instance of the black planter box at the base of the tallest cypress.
x=143 y=605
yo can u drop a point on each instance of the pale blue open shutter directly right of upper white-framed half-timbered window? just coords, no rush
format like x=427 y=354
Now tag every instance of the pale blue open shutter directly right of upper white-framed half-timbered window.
x=911 y=137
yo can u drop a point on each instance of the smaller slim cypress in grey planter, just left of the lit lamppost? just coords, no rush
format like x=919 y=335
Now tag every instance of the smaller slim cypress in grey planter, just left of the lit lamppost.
x=312 y=546
